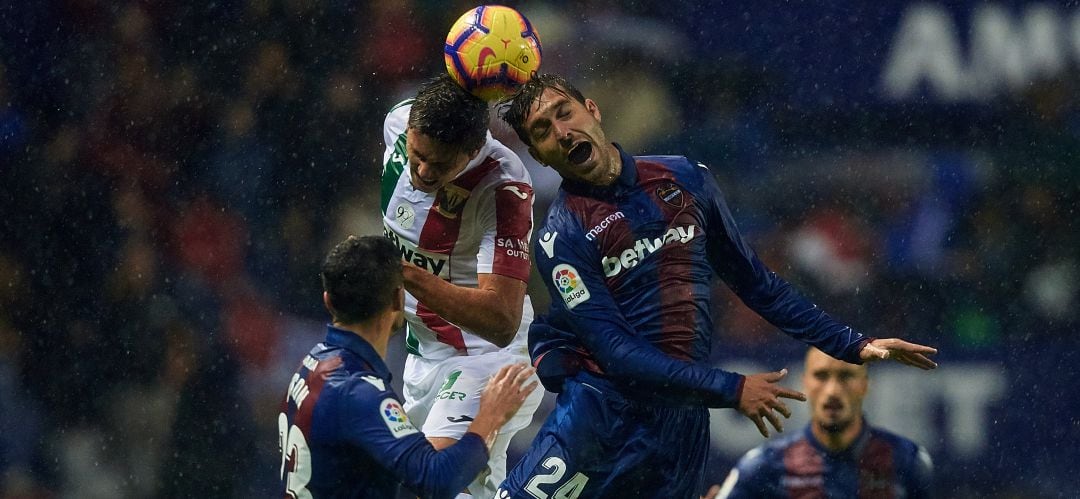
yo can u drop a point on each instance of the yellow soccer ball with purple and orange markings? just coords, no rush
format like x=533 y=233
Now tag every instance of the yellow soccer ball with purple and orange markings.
x=491 y=51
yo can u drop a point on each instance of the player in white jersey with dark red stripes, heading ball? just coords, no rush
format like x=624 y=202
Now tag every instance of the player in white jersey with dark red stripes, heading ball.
x=458 y=205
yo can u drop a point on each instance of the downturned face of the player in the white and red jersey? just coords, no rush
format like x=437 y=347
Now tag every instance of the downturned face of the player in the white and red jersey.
x=433 y=164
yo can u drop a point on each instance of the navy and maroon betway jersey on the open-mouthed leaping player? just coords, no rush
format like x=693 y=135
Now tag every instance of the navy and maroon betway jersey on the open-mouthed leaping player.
x=629 y=268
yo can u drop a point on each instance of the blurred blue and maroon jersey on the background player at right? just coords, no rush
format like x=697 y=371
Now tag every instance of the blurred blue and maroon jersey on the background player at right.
x=879 y=465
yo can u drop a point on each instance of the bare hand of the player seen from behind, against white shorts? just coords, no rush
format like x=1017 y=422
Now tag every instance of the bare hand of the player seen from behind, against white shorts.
x=503 y=397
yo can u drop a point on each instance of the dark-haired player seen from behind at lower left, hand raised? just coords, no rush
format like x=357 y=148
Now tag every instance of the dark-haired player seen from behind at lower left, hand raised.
x=343 y=431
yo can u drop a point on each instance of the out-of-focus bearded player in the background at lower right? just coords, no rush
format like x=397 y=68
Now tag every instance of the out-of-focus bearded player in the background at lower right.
x=839 y=454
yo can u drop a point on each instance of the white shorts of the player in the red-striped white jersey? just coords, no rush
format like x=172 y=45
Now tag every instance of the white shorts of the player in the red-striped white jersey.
x=443 y=397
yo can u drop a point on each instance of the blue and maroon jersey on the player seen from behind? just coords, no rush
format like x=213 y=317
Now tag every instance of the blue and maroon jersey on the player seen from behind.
x=345 y=435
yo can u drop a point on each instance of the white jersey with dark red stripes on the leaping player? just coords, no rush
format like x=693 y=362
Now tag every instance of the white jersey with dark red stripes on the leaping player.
x=479 y=223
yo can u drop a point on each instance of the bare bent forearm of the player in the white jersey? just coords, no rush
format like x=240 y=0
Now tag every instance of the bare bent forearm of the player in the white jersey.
x=483 y=313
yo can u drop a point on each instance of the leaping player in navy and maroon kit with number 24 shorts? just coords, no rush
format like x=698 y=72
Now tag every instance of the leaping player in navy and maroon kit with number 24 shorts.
x=628 y=252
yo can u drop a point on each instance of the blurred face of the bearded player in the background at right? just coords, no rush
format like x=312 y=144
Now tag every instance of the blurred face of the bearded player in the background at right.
x=835 y=390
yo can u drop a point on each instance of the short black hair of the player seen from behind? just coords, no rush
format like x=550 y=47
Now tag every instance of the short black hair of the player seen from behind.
x=361 y=276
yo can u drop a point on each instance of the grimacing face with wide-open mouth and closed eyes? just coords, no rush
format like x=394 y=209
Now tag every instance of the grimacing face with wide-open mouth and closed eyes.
x=566 y=136
